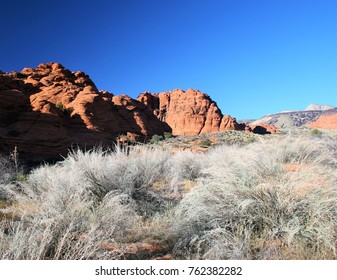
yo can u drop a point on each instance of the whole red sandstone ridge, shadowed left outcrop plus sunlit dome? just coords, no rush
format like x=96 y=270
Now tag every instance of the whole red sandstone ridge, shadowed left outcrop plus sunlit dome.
x=46 y=111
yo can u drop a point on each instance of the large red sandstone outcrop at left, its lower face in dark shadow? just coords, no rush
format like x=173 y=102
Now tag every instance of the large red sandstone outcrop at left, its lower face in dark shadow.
x=46 y=111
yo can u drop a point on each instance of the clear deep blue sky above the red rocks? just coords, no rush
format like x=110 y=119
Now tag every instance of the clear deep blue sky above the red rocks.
x=253 y=57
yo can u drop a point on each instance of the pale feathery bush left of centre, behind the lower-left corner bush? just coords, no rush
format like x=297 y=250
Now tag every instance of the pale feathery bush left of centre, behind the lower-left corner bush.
x=132 y=172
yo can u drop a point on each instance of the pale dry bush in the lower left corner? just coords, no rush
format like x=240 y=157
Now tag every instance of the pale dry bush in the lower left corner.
x=57 y=221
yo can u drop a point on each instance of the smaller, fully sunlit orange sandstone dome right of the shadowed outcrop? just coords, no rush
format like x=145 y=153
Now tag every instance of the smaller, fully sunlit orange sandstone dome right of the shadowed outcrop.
x=189 y=113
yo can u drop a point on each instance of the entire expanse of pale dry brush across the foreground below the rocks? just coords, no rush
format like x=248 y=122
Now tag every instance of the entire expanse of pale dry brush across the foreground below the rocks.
x=274 y=198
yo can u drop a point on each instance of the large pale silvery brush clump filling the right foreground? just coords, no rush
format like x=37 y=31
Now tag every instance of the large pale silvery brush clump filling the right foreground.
x=249 y=206
